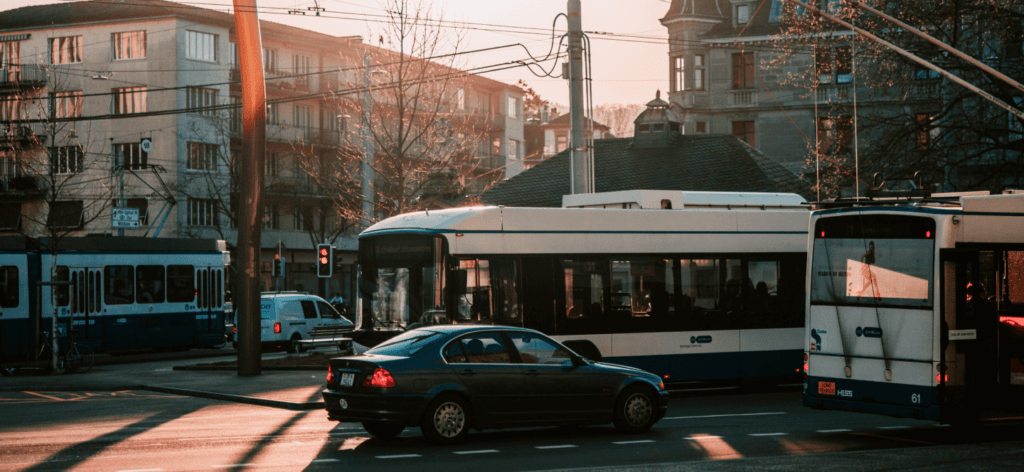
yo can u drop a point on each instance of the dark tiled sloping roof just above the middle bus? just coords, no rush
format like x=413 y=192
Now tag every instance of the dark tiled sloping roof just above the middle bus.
x=709 y=163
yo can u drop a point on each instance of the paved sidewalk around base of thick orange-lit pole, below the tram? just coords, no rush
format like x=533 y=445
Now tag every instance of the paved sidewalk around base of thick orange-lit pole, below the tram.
x=292 y=390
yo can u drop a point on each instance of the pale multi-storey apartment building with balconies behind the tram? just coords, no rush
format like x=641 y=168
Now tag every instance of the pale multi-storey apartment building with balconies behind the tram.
x=108 y=105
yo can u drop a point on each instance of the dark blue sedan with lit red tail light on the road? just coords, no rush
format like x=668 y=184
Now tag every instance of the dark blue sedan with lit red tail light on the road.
x=450 y=379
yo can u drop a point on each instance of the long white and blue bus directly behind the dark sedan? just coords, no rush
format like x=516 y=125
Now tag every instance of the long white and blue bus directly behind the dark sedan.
x=689 y=286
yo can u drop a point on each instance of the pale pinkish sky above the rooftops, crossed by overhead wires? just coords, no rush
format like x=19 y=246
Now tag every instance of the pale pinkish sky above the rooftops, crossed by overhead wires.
x=625 y=70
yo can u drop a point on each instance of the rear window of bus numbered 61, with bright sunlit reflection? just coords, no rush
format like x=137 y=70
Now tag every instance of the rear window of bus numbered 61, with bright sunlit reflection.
x=874 y=261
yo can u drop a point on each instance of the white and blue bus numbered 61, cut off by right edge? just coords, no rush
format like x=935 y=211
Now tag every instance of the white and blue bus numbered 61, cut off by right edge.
x=916 y=308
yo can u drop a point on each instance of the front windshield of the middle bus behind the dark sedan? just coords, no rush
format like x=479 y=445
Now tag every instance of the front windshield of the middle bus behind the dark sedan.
x=403 y=280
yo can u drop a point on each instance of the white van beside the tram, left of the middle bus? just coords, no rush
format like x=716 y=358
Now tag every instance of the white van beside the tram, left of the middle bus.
x=286 y=318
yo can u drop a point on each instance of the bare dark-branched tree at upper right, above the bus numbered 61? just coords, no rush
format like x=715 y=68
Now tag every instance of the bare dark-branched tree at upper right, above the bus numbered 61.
x=911 y=119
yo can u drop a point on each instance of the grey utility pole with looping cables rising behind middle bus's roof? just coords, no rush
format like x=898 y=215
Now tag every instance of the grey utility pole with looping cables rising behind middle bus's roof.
x=582 y=167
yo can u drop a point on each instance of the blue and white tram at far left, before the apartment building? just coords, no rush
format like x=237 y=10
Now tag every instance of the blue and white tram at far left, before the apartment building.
x=127 y=293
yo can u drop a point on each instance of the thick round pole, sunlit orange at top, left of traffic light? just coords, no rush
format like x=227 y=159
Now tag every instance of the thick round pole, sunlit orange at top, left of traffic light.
x=250 y=186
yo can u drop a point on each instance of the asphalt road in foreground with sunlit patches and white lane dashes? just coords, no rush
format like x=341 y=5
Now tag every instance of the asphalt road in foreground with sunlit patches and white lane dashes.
x=720 y=430
